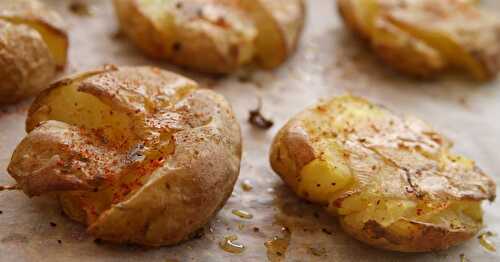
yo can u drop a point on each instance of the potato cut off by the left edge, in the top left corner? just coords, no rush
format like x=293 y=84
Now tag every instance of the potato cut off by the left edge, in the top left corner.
x=33 y=46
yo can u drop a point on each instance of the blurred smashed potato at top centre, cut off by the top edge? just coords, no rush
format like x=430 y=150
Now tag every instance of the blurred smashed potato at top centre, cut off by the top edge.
x=215 y=36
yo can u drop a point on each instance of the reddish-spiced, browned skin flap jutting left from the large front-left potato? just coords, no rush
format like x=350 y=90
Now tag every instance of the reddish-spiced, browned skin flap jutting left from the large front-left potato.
x=52 y=142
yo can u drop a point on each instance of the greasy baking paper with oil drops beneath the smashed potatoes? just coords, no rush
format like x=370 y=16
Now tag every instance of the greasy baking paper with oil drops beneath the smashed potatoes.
x=328 y=62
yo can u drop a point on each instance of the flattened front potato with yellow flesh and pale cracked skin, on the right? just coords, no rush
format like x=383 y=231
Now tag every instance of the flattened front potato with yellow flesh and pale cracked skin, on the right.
x=391 y=180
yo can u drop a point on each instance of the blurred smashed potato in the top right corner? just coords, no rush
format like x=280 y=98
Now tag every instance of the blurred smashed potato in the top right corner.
x=425 y=37
